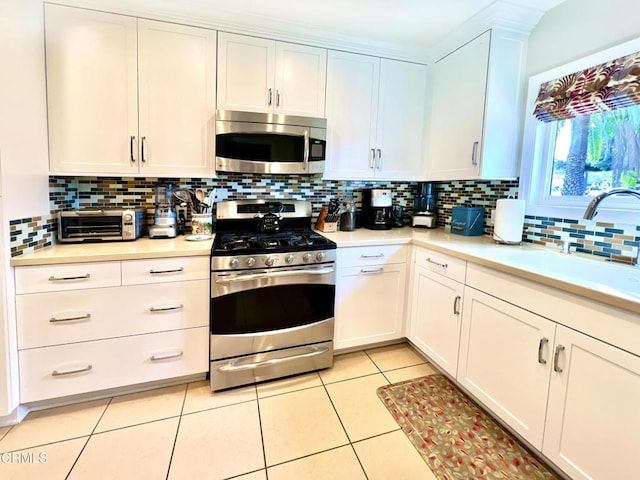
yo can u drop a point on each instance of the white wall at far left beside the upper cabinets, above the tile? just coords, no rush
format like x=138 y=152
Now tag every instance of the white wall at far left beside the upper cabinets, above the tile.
x=23 y=119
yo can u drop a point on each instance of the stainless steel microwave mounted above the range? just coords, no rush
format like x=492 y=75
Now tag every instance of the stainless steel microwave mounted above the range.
x=248 y=142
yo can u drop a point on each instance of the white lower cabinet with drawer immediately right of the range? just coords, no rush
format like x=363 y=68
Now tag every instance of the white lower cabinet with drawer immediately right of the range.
x=370 y=295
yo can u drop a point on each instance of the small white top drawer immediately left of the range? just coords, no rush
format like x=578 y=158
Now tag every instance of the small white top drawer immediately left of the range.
x=159 y=270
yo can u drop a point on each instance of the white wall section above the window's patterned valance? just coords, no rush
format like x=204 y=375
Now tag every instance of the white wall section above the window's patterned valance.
x=577 y=28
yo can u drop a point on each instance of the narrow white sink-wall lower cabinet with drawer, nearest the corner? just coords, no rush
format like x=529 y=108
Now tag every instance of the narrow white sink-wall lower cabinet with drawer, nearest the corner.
x=436 y=307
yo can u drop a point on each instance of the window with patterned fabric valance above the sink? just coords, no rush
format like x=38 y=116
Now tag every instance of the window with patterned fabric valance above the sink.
x=582 y=137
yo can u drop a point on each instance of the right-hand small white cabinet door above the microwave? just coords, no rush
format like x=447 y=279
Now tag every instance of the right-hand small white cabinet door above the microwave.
x=300 y=83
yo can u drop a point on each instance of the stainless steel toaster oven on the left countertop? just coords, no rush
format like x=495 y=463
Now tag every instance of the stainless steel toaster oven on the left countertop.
x=100 y=225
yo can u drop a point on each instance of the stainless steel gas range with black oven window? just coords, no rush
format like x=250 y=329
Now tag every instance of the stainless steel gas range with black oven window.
x=272 y=293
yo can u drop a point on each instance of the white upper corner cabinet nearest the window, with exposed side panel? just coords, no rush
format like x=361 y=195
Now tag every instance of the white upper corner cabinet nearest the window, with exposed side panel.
x=475 y=110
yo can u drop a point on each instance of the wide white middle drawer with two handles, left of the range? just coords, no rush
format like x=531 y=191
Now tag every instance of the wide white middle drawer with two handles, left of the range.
x=46 y=319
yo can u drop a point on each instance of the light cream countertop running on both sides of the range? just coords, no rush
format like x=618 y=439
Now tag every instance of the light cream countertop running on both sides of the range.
x=584 y=275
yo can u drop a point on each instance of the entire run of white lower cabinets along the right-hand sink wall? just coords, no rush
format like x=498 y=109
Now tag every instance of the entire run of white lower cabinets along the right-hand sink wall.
x=570 y=395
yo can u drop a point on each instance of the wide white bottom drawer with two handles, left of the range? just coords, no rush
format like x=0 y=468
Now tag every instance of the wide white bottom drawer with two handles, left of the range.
x=49 y=372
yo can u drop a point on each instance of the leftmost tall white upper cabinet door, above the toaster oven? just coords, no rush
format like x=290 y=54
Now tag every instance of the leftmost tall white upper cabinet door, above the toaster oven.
x=92 y=91
